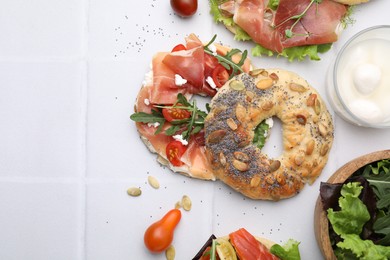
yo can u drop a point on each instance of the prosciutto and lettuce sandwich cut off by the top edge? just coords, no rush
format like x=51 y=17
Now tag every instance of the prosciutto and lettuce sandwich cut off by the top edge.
x=295 y=29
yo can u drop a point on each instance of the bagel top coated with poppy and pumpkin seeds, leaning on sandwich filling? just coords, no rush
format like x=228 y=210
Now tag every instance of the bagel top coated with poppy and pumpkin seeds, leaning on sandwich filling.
x=245 y=101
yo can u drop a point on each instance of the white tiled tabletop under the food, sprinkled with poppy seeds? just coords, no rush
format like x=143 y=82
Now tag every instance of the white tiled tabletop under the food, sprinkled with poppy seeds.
x=69 y=74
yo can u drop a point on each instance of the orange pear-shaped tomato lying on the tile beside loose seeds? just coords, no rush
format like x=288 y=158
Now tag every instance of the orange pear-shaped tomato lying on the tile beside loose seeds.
x=159 y=235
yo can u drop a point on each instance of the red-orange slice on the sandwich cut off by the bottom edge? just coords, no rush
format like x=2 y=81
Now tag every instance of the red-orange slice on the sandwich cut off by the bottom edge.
x=248 y=247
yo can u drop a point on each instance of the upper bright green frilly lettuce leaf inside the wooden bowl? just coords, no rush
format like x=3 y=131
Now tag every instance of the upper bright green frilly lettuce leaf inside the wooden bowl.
x=353 y=214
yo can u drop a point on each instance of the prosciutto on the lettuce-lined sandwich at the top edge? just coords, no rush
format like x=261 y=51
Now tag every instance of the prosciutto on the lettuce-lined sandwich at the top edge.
x=267 y=27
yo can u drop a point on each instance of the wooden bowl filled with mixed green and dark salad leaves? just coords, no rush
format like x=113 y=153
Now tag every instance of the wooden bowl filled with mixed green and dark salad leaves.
x=352 y=214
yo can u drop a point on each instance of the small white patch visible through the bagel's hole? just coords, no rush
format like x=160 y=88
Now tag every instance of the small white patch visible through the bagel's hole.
x=274 y=144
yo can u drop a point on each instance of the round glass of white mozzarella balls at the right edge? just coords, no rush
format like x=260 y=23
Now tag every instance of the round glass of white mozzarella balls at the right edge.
x=361 y=82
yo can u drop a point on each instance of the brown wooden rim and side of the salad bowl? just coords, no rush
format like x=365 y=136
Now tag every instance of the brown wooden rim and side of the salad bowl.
x=321 y=228
